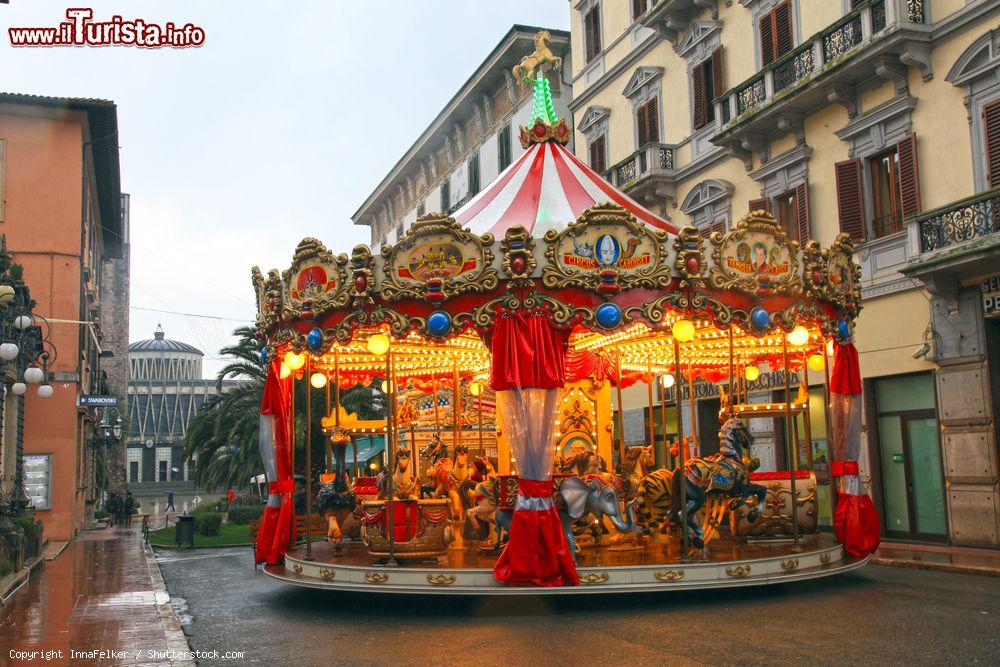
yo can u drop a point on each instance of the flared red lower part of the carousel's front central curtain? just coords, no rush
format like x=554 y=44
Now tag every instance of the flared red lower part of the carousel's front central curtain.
x=536 y=553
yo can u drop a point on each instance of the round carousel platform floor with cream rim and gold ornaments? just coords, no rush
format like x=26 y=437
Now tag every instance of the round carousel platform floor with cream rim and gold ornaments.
x=726 y=563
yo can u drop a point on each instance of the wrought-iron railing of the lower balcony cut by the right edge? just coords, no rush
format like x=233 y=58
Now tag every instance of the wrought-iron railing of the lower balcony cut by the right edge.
x=963 y=221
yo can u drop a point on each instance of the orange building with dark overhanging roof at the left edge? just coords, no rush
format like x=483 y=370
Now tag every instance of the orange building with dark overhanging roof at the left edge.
x=60 y=209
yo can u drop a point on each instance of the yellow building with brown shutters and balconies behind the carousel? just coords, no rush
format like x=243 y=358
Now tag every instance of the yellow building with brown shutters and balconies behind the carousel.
x=879 y=118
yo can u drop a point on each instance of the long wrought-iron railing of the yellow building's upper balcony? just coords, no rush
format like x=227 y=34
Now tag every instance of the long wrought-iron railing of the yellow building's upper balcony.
x=821 y=52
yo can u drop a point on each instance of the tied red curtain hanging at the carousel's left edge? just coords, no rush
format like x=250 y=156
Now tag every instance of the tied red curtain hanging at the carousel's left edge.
x=275 y=533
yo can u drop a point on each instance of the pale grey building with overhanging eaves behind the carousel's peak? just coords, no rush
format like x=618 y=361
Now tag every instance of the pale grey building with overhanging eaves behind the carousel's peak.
x=470 y=142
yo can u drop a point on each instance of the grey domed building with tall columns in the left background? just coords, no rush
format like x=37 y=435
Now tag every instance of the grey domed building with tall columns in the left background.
x=165 y=392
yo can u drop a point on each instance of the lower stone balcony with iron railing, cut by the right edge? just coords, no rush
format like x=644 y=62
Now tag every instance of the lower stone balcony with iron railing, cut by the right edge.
x=957 y=242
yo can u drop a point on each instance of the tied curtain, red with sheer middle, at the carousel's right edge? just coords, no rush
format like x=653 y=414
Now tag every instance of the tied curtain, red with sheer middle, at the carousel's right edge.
x=855 y=519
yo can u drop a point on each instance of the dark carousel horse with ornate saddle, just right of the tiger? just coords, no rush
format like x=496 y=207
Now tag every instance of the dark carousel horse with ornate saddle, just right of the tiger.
x=725 y=473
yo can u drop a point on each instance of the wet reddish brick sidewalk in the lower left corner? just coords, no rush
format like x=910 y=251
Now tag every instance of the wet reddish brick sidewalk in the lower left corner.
x=98 y=595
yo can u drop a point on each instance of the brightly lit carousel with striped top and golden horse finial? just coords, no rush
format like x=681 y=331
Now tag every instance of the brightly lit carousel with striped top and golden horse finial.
x=499 y=338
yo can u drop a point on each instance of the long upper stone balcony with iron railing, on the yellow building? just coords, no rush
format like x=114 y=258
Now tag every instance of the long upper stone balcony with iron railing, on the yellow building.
x=881 y=38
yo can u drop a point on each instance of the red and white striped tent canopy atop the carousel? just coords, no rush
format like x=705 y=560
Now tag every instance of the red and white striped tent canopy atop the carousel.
x=546 y=188
